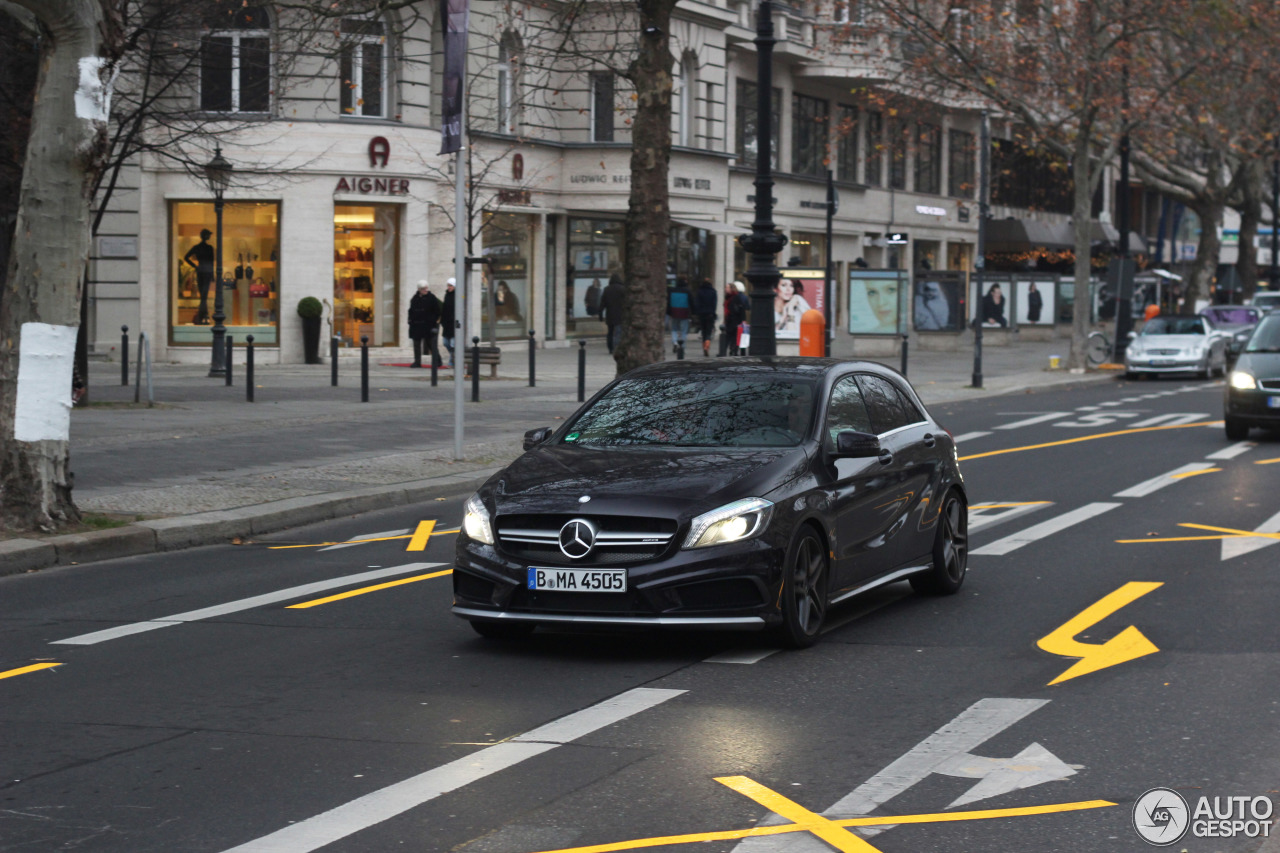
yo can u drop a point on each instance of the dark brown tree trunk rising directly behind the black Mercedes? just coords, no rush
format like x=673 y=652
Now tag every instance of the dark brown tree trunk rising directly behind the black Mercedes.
x=648 y=212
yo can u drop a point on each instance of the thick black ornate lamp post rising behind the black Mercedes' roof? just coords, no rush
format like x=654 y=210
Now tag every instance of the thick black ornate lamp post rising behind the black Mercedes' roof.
x=764 y=244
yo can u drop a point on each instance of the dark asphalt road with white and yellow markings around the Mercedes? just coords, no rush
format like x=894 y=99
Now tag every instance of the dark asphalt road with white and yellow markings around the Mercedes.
x=198 y=709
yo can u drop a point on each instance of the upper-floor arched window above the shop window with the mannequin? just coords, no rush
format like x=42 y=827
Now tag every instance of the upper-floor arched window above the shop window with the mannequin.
x=236 y=63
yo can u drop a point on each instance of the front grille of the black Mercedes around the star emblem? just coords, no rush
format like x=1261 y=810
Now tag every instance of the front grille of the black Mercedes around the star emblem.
x=620 y=540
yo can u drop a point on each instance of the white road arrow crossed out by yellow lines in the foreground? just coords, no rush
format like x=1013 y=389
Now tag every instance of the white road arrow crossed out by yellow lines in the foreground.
x=947 y=752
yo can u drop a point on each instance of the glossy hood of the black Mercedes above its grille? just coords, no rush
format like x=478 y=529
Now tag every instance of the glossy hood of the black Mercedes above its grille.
x=662 y=481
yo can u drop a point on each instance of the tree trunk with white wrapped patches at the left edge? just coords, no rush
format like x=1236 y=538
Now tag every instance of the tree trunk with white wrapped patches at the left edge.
x=40 y=312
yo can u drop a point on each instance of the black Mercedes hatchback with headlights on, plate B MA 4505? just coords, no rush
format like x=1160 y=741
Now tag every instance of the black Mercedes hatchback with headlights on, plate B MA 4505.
x=739 y=494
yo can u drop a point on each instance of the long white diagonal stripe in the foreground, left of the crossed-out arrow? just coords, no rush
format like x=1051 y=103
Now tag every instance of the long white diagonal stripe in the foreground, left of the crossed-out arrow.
x=396 y=800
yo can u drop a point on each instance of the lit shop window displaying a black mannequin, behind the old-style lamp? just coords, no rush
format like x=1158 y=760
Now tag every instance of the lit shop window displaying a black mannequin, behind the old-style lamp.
x=250 y=256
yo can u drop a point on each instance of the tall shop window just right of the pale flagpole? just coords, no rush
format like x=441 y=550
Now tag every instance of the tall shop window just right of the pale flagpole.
x=506 y=281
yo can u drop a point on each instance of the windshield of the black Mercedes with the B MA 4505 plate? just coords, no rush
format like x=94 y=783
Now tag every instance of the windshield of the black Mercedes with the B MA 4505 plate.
x=700 y=412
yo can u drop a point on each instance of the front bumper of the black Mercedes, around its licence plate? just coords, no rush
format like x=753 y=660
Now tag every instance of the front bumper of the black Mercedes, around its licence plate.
x=733 y=587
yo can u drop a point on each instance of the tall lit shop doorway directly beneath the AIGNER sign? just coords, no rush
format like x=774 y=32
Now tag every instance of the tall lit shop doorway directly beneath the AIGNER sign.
x=367 y=275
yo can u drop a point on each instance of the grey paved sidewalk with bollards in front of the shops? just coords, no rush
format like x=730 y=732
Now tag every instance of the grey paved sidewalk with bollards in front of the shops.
x=204 y=467
